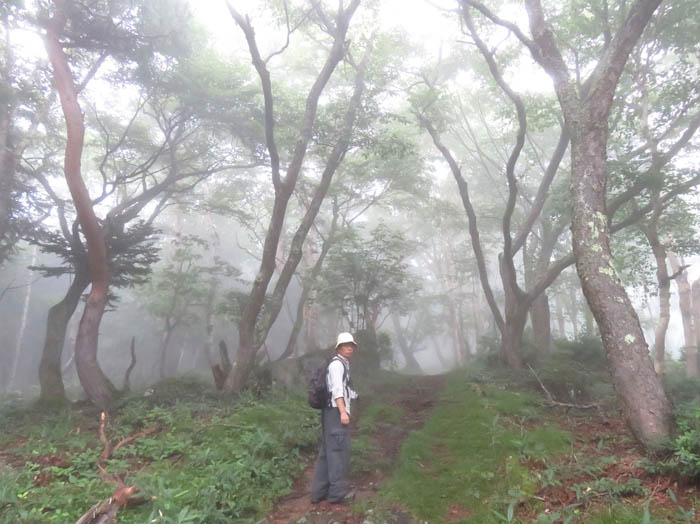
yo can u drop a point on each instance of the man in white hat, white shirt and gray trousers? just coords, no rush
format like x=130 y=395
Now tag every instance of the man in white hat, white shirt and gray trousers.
x=333 y=463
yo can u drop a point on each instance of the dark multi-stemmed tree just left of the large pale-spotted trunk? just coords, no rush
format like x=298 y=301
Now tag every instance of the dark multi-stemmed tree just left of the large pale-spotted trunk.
x=518 y=301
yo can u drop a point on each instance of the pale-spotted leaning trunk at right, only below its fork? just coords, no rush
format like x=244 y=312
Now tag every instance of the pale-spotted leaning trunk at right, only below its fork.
x=644 y=401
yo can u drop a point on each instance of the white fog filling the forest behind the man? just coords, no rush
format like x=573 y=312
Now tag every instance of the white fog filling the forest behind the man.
x=402 y=196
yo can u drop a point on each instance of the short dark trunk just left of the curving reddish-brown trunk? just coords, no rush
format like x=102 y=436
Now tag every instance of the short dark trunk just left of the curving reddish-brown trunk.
x=50 y=375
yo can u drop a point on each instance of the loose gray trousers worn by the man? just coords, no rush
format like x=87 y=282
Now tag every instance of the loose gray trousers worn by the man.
x=333 y=462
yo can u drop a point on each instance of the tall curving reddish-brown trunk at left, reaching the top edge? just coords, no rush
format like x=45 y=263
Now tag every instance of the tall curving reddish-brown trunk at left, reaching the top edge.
x=96 y=385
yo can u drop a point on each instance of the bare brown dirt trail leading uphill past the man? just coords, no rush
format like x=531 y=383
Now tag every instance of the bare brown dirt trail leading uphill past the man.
x=416 y=397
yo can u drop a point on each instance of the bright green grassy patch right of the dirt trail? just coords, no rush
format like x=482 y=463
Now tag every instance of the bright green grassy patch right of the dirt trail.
x=466 y=460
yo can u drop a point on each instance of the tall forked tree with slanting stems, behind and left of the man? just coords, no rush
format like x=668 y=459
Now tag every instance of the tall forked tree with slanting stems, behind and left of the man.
x=251 y=332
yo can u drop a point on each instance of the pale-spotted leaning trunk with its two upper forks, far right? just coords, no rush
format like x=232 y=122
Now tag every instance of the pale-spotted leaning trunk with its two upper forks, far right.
x=645 y=404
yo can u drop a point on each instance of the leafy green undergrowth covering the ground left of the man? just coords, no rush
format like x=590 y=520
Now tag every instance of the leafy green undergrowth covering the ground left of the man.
x=211 y=459
